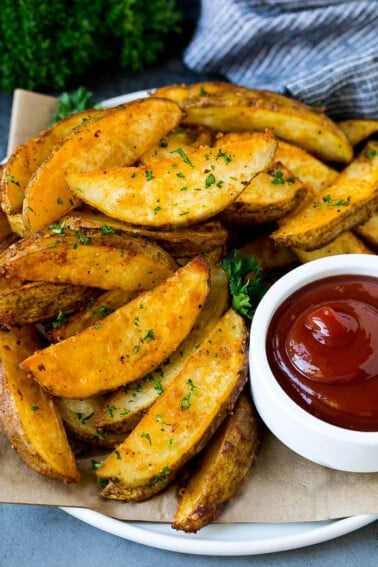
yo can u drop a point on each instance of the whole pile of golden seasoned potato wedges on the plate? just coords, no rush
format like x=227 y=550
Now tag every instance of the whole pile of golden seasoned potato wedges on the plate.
x=116 y=329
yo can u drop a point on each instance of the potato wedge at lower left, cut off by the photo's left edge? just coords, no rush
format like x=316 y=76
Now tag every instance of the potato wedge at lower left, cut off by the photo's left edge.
x=28 y=416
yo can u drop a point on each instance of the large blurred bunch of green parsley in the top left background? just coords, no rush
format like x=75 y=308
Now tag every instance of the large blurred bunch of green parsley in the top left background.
x=51 y=44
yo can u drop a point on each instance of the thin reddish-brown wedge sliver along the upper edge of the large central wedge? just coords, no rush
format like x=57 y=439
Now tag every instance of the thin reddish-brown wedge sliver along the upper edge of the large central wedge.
x=94 y=311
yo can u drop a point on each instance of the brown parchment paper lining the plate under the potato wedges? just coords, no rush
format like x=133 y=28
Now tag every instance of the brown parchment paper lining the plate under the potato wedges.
x=283 y=486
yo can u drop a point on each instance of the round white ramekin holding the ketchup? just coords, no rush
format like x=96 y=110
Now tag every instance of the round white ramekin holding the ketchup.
x=310 y=437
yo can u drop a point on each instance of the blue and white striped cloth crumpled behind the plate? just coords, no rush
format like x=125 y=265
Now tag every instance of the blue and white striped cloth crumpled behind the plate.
x=315 y=50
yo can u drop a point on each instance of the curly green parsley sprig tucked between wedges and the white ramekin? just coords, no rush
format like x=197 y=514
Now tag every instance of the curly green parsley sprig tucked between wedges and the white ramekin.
x=246 y=283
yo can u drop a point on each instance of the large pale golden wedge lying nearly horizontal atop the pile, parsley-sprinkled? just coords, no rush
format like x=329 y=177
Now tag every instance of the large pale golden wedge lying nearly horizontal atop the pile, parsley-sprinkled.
x=178 y=191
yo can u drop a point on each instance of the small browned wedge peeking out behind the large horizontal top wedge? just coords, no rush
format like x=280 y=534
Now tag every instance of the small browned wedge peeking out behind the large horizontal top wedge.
x=185 y=137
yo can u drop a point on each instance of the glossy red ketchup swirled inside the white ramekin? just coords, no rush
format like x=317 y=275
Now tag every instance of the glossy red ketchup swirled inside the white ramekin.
x=322 y=346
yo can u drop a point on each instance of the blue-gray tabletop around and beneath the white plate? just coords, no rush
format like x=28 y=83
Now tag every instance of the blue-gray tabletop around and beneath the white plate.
x=34 y=535
